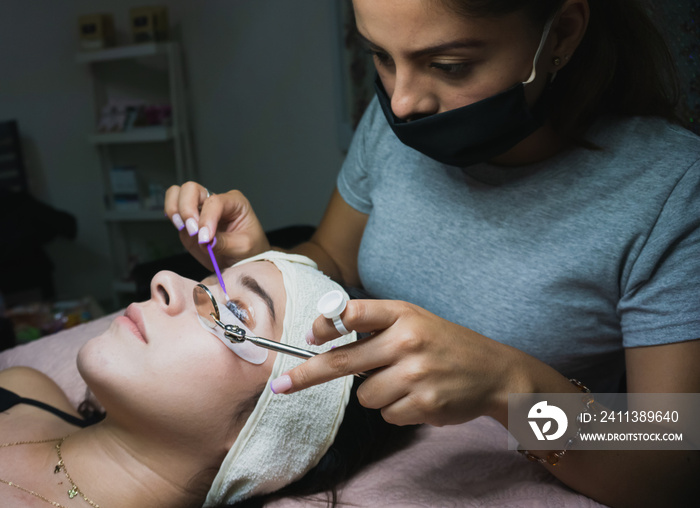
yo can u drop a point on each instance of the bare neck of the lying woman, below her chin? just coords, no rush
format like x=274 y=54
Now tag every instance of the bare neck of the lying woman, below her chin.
x=142 y=470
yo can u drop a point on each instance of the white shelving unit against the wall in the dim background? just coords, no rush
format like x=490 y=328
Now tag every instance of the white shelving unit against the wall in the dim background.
x=150 y=73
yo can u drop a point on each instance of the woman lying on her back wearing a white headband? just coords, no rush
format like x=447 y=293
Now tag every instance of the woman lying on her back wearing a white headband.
x=188 y=422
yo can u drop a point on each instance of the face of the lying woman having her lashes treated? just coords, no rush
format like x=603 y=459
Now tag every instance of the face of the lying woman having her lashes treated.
x=159 y=365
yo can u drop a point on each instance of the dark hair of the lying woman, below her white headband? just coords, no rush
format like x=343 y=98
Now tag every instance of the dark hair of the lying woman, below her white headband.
x=363 y=437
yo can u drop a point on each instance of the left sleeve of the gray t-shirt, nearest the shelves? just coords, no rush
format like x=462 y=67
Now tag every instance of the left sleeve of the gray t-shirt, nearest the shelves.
x=354 y=178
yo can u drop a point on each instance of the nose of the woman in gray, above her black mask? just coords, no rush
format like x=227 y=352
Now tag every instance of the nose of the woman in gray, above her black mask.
x=411 y=97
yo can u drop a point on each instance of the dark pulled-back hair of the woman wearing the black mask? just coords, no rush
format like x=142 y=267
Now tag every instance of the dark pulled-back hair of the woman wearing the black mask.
x=622 y=66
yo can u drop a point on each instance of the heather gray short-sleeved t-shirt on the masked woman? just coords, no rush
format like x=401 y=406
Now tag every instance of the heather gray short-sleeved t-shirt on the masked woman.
x=569 y=260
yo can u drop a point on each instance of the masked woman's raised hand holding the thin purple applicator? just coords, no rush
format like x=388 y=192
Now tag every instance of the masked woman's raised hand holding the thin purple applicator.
x=199 y=217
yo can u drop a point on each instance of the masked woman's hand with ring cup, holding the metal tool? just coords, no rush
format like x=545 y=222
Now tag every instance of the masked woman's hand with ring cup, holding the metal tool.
x=425 y=369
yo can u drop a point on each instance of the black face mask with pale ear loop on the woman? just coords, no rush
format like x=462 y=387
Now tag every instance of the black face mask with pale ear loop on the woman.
x=474 y=133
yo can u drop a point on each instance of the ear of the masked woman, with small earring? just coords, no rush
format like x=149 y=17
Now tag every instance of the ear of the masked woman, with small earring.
x=567 y=31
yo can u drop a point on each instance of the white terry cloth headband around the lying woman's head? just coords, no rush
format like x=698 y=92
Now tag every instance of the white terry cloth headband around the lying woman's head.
x=286 y=435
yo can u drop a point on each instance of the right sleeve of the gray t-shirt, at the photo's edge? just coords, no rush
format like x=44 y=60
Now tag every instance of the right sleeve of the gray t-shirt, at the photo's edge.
x=660 y=301
